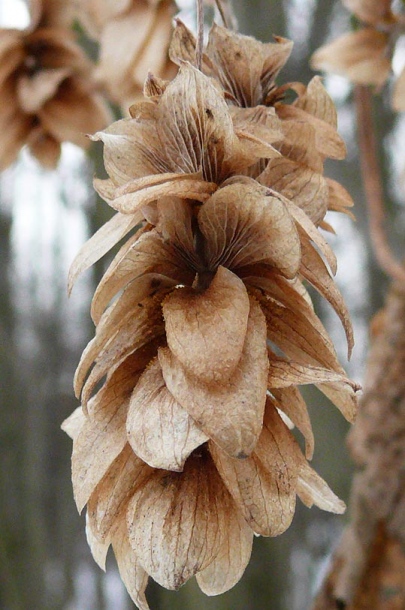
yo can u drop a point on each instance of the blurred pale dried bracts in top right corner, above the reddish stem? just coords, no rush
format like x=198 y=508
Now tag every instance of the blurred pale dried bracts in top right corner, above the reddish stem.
x=364 y=56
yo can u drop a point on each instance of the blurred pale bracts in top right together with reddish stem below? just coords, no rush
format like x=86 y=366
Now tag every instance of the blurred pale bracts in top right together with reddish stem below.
x=365 y=56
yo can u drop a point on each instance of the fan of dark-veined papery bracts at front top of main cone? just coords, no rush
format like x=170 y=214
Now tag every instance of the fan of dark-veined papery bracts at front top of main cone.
x=184 y=144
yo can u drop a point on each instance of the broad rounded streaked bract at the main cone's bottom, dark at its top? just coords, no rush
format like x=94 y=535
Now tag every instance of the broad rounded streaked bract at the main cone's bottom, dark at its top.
x=178 y=522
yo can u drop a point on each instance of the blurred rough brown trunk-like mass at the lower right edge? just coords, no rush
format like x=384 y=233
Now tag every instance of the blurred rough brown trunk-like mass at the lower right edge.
x=368 y=568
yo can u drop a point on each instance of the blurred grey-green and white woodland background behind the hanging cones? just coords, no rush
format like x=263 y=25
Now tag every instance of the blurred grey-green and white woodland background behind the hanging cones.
x=45 y=216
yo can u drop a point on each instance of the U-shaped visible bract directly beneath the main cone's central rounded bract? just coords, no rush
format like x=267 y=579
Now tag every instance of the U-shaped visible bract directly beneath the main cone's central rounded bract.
x=230 y=413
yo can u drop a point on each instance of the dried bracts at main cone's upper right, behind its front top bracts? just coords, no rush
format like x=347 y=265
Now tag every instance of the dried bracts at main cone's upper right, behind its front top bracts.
x=304 y=132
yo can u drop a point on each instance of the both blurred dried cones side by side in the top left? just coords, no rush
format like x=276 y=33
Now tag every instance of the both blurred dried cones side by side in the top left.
x=51 y=92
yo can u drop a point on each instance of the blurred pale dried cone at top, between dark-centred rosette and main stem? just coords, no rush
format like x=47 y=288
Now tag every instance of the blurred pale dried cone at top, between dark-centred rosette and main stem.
x=134 y=36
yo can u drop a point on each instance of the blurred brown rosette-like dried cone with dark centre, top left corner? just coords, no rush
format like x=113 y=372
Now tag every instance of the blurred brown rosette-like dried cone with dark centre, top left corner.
x=46 y=93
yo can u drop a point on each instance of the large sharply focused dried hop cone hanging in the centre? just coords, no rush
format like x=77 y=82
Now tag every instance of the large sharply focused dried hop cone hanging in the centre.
x=204 y=328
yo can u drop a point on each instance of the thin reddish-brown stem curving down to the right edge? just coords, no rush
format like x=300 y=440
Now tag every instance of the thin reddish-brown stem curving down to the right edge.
x=372 y=184
